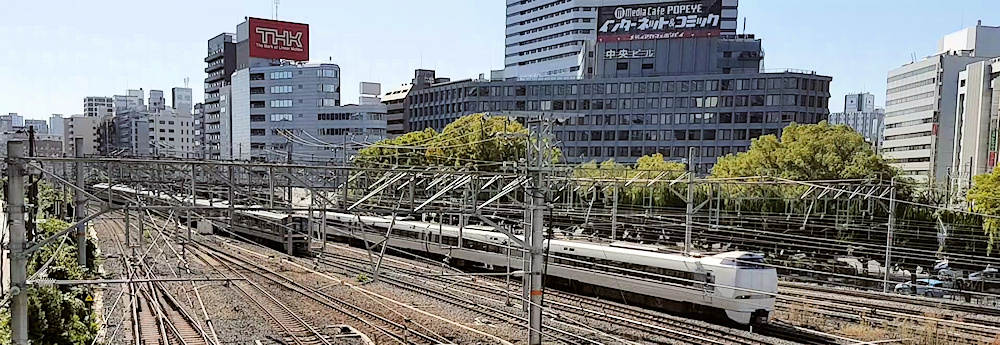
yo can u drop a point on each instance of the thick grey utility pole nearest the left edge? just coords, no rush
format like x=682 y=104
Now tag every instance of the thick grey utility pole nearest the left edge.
x=17 y=256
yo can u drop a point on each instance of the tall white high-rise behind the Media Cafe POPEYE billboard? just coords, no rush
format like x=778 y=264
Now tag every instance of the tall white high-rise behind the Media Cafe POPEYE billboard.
x=549 y=39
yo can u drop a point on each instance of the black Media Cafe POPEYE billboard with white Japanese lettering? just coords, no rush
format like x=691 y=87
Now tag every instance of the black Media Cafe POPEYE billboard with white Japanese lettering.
x=665 y=20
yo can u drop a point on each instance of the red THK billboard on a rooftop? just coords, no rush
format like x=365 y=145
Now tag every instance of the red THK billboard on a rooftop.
x=272 y=39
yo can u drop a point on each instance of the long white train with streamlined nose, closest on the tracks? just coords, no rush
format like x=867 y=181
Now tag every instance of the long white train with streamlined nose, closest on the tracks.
x=737 y=284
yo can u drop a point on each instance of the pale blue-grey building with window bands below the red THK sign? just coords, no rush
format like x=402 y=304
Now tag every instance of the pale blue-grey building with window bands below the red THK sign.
x=271 y=109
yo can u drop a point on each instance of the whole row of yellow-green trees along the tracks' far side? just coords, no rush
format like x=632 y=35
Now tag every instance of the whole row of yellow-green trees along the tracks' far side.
x=819 y=152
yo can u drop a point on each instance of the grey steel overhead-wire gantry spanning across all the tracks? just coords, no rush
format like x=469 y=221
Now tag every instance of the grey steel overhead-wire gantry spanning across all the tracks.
x=527 y=200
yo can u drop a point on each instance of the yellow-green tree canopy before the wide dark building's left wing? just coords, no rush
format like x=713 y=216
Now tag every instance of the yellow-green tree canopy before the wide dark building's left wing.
x=473 y=140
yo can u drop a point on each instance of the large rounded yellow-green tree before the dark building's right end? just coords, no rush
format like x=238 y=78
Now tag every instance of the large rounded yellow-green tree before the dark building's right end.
x=808 y=152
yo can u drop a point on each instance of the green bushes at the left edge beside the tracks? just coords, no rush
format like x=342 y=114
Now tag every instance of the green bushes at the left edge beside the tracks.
x=57 y=314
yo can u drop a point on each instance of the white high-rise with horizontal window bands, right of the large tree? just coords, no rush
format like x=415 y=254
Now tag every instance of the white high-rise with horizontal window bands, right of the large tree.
x=922 y=104
